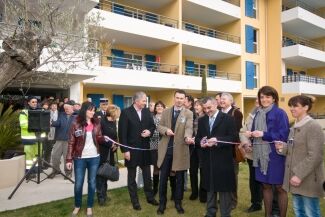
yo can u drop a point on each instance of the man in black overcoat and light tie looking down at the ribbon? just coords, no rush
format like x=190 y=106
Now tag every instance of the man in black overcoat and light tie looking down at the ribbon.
x=217 y=158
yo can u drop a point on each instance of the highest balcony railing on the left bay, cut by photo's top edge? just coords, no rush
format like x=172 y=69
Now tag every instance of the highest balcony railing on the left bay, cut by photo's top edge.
x=137 y=14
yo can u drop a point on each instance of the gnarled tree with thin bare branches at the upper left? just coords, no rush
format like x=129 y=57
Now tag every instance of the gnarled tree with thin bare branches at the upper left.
x=45 y=36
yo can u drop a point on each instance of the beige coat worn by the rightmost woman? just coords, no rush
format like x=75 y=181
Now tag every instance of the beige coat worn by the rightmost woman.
x=305 y=160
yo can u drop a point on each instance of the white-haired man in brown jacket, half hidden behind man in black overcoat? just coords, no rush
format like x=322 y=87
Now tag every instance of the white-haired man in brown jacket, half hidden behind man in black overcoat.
x=226 y=104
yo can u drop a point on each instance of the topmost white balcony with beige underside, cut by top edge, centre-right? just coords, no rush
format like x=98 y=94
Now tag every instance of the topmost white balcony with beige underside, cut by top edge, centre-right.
x=211 y=12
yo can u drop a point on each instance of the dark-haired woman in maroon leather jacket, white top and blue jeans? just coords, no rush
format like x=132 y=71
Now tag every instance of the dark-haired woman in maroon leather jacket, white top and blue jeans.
x=83 y=149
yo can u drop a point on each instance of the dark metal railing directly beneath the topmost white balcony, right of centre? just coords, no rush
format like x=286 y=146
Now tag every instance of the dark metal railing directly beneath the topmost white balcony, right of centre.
x=210 y=32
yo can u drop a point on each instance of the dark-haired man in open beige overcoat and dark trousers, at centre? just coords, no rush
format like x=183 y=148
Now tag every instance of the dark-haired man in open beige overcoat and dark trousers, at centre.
x=176 y=128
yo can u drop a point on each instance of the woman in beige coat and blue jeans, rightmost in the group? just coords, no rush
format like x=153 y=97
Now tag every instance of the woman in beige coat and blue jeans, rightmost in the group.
x=304 y=173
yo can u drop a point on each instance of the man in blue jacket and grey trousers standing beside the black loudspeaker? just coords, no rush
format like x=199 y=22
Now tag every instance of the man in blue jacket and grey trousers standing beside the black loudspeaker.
x=62 y=127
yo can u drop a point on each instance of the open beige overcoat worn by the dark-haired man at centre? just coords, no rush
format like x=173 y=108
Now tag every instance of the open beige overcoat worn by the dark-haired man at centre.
x=183 y=129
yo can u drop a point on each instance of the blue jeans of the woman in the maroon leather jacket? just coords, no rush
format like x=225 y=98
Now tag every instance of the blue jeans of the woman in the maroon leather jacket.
x=80 y=166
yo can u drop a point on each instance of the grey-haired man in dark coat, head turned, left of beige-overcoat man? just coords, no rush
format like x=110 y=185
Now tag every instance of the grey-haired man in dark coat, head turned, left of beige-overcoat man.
x=135 y=127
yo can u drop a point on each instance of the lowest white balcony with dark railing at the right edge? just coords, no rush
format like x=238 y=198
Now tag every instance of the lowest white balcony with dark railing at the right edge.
x=303 y=84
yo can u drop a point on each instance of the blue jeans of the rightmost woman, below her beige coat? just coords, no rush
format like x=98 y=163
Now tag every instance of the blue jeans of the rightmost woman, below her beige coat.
x=306 y=206
